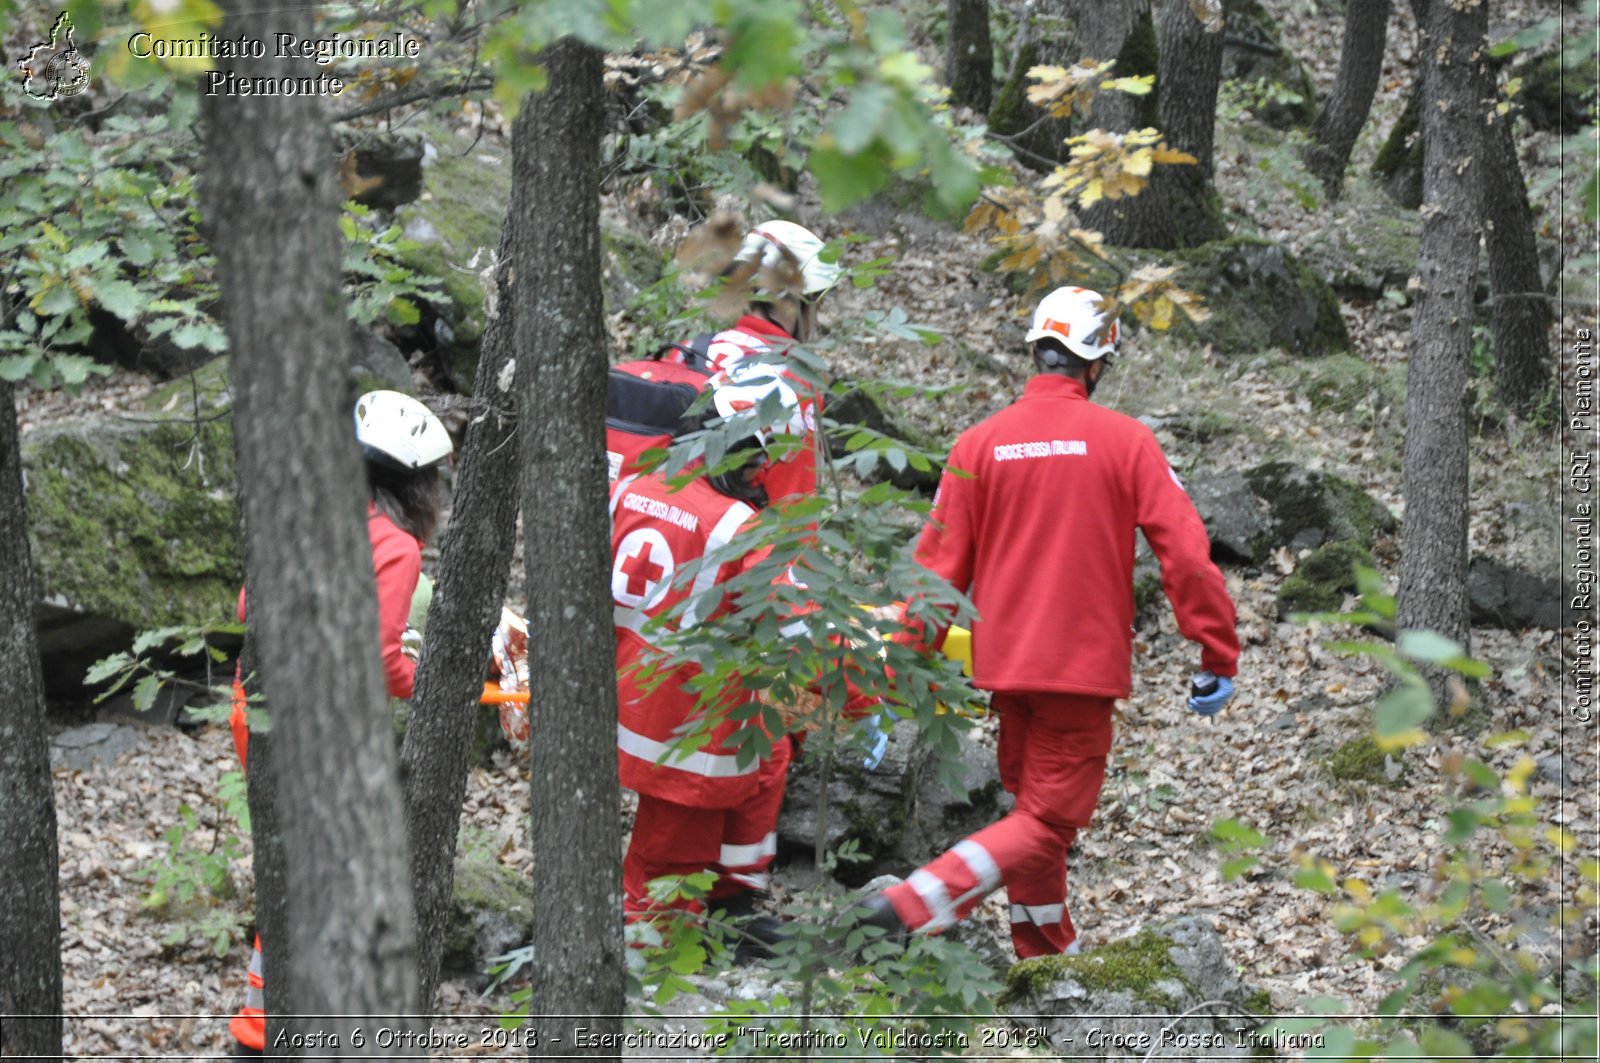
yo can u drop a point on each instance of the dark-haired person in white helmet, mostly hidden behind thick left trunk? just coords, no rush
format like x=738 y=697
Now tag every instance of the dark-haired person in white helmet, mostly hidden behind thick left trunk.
x=404 y=446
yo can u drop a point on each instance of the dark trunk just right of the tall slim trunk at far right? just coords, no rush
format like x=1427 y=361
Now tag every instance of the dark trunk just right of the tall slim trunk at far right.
x=1521 y=307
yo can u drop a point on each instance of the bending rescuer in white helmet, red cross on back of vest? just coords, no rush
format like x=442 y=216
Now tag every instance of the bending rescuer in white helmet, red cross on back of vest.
x=705 y=809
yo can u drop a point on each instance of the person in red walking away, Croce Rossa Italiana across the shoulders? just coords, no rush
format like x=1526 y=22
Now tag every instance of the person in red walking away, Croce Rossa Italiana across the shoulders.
x=1036 y=521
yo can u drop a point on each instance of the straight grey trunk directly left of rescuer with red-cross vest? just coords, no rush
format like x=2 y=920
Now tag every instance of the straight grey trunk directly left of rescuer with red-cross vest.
x=578 y=957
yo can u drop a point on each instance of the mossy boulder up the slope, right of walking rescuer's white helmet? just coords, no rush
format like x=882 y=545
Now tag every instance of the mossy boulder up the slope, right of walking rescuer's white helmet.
x=1262 y=297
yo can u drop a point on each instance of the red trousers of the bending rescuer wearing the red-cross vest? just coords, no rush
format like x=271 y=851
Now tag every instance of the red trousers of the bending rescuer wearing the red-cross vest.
x=674 y=841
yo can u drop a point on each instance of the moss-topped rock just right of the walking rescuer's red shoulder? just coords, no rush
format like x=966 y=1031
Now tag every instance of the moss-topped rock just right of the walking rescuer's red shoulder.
x=1314 y=508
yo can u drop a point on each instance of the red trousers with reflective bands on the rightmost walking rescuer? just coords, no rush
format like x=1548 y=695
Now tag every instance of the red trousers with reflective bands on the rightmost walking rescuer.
x=1054 y=760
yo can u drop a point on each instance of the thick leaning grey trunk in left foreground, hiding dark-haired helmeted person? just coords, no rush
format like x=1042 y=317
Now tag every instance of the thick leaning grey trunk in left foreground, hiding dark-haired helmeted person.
x=274 y=206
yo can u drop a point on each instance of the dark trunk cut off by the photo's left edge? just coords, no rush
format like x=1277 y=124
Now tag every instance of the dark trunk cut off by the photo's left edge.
x=30 y=888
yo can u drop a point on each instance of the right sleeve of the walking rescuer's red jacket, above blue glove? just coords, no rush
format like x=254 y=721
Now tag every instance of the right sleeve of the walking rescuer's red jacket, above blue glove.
x=1194 y=585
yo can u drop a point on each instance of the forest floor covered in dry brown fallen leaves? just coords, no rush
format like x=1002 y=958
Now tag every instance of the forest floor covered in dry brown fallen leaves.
x=1265 y=761
